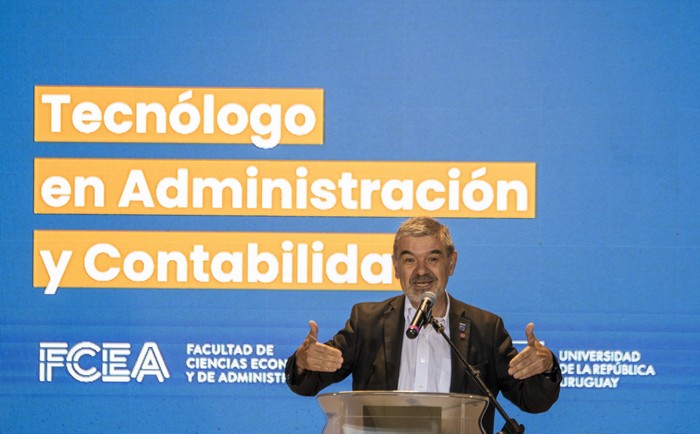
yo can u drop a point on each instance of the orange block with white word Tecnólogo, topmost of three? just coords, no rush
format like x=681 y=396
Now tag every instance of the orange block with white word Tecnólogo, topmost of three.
x=264 y=117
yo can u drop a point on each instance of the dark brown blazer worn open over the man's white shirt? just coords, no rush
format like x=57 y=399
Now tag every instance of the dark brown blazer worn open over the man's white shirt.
x=371 y=345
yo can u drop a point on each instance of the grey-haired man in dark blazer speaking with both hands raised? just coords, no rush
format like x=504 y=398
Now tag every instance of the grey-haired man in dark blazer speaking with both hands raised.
x=384 y=349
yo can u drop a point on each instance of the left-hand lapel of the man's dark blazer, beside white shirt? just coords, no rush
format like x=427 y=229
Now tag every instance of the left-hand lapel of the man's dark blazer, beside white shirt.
x=394 y=323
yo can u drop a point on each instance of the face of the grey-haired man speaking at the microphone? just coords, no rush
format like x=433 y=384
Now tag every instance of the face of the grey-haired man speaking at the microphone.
x=422 y=264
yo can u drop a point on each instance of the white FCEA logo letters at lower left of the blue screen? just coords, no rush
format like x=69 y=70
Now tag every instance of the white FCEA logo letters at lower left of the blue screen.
x=88 y=362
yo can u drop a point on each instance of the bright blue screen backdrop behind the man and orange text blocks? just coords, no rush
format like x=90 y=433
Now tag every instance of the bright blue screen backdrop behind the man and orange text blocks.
x=603 y=96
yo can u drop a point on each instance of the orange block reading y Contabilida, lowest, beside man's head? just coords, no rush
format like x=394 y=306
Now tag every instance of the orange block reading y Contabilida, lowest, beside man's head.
x=212 y=260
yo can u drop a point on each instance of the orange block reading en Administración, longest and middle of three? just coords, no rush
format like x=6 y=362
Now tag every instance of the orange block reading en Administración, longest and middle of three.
x=285 y=188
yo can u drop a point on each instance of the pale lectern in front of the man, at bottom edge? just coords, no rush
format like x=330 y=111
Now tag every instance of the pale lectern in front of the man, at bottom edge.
x=402 y=412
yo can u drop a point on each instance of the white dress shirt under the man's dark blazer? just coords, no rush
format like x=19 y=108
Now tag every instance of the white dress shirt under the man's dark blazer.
x=426 y=364
